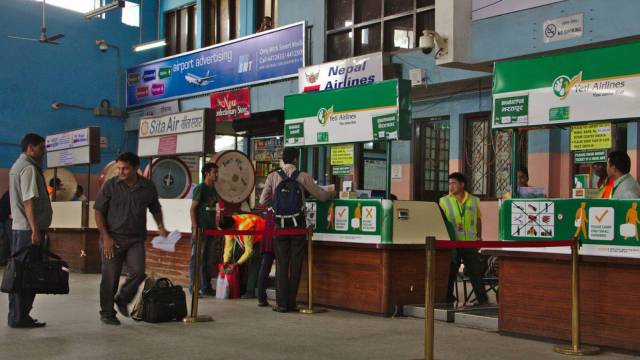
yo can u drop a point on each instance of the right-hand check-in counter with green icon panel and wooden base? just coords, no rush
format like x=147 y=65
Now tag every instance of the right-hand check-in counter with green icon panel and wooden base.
x=535 y=284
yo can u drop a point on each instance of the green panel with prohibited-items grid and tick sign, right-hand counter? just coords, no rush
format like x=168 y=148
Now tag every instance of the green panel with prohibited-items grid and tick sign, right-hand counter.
x=605 y=227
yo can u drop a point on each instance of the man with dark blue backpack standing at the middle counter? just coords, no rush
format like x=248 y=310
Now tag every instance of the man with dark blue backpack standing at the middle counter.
x=284 y=194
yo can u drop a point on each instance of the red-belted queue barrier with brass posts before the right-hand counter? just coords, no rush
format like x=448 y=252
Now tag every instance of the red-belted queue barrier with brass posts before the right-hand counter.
x=431 y=244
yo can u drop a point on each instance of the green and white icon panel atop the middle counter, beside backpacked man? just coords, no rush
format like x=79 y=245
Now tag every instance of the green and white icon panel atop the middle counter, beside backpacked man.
x=360 y=221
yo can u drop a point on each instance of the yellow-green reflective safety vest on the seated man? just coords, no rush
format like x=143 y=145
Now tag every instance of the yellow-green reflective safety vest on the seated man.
x=462 y=217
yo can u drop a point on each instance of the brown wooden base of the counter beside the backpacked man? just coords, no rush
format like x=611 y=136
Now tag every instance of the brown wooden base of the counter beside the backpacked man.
x=372 y=278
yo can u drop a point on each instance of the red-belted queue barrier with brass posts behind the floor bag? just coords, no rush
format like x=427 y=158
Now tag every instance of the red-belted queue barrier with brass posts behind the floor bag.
x=310 y=309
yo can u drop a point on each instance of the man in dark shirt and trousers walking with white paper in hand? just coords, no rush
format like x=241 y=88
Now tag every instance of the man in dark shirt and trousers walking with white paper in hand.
x=121 y=217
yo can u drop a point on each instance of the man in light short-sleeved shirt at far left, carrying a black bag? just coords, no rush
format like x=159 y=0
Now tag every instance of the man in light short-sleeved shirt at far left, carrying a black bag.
x=32 y=213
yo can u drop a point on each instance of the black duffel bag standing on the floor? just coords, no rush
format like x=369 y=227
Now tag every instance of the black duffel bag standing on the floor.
x=164 y=302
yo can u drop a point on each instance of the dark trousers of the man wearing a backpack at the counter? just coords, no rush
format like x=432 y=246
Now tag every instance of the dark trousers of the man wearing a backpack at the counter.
x=289 y=251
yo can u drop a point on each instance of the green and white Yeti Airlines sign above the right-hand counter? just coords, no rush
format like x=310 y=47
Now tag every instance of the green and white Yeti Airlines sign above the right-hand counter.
x=569 y=88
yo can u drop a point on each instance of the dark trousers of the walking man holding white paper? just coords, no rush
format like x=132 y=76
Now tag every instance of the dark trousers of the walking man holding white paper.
x=132 y=253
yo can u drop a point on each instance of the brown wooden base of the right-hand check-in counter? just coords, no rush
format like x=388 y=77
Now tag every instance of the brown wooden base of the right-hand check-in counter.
x=535 y=297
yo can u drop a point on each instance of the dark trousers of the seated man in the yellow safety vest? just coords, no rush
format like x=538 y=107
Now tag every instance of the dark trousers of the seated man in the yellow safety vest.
x=471 y=260
